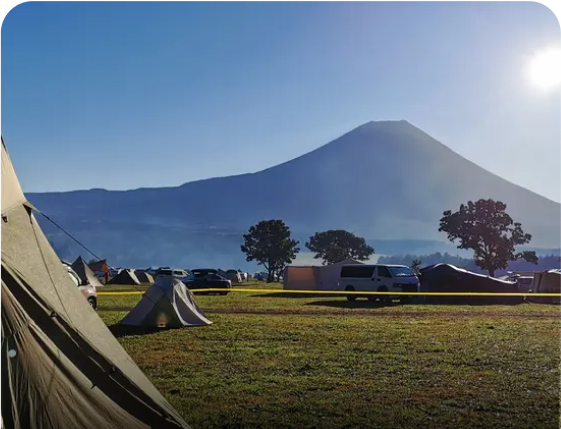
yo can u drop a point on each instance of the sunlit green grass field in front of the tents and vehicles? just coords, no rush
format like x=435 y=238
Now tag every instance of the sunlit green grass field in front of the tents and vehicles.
x=276 y=362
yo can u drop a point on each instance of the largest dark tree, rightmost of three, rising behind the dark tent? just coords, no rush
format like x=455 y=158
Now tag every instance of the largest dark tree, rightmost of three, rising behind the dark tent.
x=486 y=228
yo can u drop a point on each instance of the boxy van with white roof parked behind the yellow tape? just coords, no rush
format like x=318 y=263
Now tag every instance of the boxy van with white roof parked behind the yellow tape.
x=378 y=278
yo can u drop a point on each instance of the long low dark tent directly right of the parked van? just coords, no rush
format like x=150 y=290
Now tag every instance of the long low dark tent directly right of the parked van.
x=448 y=278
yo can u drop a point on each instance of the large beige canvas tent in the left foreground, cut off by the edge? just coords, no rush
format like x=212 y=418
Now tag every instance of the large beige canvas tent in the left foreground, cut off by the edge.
x=60 y=366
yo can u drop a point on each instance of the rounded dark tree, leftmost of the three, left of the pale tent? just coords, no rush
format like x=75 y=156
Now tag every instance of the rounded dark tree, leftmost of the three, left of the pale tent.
x=269 y=244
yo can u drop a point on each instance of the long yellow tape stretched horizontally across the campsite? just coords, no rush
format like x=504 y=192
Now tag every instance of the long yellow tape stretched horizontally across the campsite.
x=337 y=292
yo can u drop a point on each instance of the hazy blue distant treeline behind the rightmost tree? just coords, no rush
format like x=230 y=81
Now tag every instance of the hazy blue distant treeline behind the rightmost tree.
x=544 y=262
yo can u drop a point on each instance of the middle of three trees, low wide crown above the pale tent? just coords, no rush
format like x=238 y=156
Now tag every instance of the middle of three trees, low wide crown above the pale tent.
x=337 y=245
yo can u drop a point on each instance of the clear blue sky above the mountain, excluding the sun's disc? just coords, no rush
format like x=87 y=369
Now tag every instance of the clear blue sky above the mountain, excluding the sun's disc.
x=122 y=95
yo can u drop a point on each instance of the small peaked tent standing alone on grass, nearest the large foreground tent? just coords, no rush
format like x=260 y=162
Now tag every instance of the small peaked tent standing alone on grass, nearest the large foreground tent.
x=167 y=303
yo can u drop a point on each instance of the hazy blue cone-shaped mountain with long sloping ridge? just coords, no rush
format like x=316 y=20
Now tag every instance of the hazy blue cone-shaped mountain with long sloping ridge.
x=383 y=180
